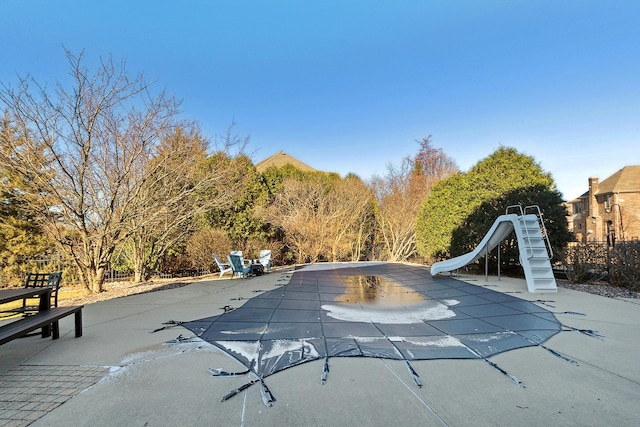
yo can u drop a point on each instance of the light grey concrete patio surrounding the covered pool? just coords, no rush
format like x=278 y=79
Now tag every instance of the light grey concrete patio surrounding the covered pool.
x=119 y=373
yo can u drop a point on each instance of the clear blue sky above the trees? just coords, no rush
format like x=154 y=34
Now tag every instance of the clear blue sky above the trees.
x=350 y=86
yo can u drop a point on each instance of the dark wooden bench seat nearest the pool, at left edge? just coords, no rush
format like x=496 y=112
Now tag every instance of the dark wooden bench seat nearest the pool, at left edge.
x=46 y=319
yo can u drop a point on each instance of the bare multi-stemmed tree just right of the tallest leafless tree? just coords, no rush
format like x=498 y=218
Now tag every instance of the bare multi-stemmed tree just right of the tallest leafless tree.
x=184 y=184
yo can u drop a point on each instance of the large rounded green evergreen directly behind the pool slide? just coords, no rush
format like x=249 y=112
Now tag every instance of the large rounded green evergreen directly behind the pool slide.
x=461 y=209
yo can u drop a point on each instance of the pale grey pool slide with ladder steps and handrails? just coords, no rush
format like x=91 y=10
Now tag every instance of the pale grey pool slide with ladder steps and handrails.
x=534 y=256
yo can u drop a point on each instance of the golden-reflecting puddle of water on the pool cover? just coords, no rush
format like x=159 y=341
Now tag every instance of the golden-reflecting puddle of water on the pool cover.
x=377 y=291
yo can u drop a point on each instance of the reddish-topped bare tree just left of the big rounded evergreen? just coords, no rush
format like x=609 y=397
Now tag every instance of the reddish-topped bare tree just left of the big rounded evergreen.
x=400 y=194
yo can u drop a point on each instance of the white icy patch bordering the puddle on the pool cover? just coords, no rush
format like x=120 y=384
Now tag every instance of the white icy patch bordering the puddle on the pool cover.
x=431 y=310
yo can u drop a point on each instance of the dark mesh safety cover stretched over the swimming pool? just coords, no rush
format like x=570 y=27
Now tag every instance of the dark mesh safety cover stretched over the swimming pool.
x=382 y=310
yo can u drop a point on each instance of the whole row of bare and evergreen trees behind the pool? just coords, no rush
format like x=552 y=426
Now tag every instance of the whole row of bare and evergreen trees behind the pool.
x=106 y=173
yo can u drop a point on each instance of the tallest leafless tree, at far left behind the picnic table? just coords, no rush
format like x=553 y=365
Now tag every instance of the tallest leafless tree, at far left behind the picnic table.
x=86 y=151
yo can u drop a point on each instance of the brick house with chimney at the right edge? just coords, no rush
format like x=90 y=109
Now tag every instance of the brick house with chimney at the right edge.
x=610 y=210
